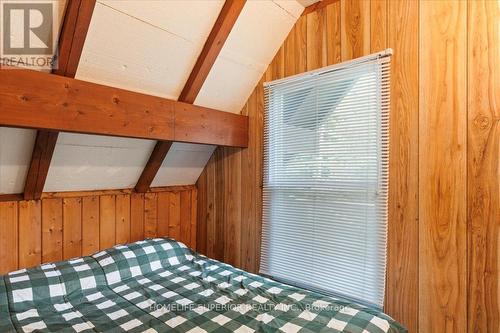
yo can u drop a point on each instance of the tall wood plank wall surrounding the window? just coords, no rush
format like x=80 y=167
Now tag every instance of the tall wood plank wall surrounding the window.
x=444 y=209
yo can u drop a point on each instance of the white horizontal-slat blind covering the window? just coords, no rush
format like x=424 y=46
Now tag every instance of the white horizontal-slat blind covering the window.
x=326 y=179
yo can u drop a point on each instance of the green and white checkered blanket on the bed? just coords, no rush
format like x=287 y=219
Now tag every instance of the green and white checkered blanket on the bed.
x=160 y=285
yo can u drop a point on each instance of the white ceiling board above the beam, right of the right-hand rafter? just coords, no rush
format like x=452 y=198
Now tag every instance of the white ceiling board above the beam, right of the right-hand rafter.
x=257 y=35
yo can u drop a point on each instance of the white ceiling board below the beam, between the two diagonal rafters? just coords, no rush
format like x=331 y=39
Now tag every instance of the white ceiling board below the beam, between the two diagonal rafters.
x=92 y=162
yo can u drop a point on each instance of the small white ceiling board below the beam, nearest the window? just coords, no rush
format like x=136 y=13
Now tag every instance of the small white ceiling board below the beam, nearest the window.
x=183 y=164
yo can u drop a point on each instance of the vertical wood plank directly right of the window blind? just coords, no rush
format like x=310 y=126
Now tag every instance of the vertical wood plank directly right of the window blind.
x=402 y=237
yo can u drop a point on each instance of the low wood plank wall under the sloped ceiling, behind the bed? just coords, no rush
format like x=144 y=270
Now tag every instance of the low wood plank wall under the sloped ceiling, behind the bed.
x=67 y=225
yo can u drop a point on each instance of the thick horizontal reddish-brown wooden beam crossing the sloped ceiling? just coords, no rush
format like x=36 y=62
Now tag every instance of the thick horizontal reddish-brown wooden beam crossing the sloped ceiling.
x=30 y=99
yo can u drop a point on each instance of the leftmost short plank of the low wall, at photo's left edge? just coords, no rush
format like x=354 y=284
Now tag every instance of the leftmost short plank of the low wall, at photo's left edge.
x=8 y=237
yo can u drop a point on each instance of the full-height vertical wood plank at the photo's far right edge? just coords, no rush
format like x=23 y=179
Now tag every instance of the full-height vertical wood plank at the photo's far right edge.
x=484 y=166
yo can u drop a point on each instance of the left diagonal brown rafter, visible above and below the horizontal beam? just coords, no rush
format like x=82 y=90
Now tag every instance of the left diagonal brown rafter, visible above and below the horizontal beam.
x=74 y=30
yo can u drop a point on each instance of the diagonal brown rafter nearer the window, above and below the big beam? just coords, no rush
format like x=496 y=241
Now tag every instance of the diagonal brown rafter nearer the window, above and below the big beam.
x=215 y=41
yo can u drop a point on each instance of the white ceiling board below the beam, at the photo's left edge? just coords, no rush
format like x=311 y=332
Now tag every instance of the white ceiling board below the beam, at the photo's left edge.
x=16 y=146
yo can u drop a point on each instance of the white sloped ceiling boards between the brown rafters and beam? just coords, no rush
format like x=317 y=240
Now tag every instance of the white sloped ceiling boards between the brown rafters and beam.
x=151 y=47
